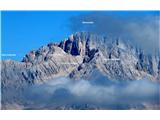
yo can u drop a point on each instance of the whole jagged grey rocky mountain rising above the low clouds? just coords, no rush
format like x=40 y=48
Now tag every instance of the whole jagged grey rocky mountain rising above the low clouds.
x=78 y=57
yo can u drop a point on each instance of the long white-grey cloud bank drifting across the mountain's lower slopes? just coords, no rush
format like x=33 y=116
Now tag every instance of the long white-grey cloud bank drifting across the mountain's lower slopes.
x=118 y=95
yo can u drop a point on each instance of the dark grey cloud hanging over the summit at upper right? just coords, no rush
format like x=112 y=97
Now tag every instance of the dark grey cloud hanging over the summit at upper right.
x=140 y=28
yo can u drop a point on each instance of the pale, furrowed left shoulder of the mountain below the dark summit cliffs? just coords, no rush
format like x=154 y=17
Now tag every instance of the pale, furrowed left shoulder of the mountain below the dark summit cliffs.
x=40 y=66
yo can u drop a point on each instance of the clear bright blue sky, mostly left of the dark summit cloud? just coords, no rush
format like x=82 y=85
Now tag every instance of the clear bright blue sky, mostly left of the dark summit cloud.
x=23 y=31
